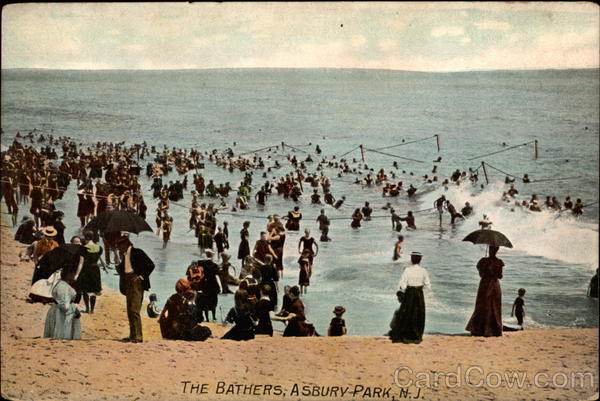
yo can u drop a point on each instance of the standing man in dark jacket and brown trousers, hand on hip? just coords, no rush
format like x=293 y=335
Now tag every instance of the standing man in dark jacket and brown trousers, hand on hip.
x=134 y=271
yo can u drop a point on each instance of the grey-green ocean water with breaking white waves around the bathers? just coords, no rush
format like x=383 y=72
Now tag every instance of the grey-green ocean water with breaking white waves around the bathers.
x=474 y=113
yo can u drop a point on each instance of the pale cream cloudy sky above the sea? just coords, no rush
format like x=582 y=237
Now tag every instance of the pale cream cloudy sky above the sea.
x=399 y=36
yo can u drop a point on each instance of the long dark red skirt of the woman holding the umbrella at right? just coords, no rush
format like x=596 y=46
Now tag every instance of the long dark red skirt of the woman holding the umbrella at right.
x=487 y=317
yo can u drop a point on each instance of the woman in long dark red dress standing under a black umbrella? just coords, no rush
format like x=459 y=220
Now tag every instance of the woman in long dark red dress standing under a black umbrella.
x=487 y=318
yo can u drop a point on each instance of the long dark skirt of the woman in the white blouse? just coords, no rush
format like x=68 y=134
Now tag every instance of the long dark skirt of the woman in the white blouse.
x=408 y=323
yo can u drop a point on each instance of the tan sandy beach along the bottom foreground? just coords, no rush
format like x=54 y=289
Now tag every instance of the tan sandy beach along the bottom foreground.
x=99 y=367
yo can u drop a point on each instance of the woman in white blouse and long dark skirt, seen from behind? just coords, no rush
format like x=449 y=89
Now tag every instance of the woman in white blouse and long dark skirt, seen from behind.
x=408 y=323
